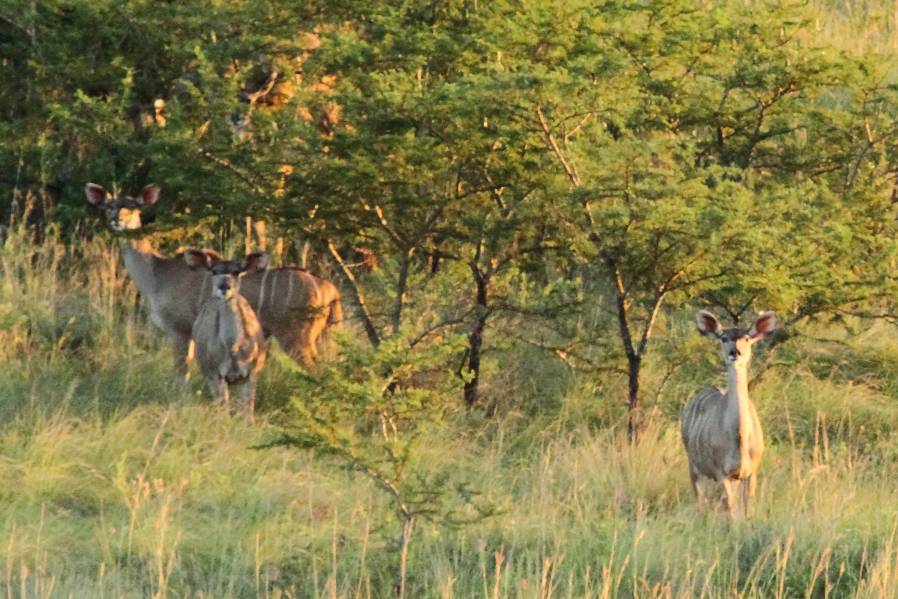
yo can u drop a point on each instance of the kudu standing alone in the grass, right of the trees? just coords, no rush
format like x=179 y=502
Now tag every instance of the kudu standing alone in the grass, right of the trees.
x=721 y=430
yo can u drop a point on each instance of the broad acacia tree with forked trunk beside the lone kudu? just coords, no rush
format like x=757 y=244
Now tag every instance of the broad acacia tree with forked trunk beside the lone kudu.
x=697 y=146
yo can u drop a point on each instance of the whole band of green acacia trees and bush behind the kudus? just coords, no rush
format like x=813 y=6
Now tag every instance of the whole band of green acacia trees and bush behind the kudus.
x=551 y=173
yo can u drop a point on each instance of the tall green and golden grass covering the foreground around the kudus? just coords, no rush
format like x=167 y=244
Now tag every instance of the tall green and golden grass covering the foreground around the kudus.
x=114 y=484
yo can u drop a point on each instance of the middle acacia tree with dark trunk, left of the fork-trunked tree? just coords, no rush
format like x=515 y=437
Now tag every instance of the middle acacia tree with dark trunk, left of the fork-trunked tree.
x=430 y=167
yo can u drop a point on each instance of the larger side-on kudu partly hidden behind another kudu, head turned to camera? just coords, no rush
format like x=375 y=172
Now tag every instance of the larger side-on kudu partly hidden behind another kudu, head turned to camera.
x=292 y=305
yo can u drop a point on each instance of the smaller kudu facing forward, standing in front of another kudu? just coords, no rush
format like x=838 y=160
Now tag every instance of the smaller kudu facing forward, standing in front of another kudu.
x=230 y=346
